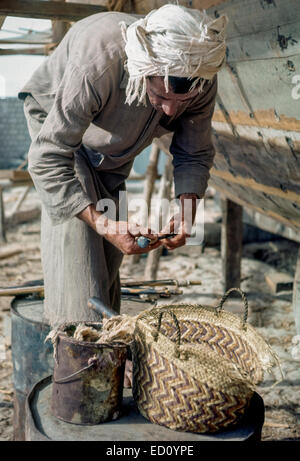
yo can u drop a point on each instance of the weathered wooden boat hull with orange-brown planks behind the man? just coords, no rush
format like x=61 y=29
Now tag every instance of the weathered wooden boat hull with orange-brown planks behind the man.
x=256 y=124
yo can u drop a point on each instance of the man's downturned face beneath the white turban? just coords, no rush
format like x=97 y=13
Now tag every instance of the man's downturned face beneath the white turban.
x=169 y=102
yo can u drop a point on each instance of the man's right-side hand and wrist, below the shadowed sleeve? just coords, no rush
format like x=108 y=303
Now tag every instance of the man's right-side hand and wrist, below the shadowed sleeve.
x=181 y=223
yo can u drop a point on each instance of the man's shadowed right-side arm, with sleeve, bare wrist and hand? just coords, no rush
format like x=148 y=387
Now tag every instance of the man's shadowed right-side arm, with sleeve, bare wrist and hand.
x=193 y=154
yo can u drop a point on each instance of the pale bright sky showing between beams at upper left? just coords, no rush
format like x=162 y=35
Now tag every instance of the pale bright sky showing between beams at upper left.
x=15 y=70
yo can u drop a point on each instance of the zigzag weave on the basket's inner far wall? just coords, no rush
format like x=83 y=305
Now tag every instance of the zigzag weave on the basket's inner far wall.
x=221 y=340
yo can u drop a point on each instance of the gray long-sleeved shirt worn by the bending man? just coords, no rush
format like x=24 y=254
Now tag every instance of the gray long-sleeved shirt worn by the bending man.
x=81 y=87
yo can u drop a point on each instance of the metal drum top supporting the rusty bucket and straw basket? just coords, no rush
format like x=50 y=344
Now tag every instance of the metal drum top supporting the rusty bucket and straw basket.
x=41 y=424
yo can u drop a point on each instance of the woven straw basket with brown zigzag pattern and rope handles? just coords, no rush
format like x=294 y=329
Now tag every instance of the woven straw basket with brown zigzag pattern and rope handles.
x=196 y=367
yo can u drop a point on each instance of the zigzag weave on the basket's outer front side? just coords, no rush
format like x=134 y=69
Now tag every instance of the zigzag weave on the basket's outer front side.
x=168 y=396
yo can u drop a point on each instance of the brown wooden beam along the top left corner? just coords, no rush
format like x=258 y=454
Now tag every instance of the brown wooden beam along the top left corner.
x=48 y=9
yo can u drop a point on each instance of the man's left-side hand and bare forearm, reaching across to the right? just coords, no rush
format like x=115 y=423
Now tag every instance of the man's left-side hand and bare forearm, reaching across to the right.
x=120 y=233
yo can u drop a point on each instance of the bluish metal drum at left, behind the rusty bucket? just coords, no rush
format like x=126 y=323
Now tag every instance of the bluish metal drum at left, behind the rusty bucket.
x=32 y=358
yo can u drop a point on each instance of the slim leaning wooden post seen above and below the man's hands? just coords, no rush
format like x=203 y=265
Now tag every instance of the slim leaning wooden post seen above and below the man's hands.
x=165 y=192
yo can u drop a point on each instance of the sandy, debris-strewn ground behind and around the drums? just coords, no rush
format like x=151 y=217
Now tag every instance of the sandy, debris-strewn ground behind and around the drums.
x=270 y=314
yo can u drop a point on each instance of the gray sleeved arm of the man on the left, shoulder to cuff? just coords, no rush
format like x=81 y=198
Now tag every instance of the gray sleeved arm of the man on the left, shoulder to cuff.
x=51 y=154
